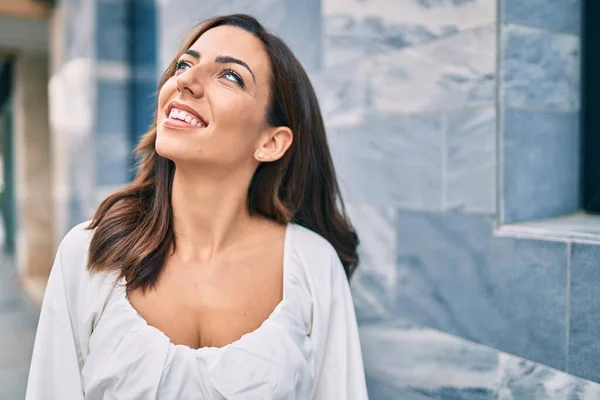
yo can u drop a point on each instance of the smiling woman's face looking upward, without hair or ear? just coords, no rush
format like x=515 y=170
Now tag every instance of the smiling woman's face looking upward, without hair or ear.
x=213 y=110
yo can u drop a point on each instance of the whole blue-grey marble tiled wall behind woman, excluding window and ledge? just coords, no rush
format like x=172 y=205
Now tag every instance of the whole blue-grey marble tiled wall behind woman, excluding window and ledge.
x=429 y=104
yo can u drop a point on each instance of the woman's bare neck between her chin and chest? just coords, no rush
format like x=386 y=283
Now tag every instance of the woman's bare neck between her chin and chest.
x=209 y=214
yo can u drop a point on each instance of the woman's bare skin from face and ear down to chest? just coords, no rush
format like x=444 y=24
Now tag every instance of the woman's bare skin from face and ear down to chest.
x=225 y=276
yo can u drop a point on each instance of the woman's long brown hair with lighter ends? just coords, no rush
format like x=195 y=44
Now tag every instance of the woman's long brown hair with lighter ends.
x=134 y=226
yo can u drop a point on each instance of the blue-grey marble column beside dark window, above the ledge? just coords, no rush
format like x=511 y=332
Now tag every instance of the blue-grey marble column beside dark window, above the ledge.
x=539 y=96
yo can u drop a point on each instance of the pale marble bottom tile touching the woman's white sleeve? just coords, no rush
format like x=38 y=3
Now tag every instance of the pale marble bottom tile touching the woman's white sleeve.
x=407 y=361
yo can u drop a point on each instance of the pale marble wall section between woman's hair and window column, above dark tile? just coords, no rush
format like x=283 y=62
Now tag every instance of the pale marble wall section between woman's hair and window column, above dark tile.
x=425 y=76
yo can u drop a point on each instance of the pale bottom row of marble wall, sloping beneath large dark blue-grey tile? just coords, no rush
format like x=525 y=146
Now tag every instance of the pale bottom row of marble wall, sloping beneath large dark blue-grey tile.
x=408 y=361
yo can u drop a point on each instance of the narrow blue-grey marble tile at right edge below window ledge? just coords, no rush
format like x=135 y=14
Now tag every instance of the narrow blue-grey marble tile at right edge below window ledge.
x=584 y=347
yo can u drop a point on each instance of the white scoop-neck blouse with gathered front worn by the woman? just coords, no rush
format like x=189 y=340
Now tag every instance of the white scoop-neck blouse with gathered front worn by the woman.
x=91 y=343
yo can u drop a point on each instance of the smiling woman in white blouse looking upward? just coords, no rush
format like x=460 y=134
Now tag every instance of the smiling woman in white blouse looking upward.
x=222 y=270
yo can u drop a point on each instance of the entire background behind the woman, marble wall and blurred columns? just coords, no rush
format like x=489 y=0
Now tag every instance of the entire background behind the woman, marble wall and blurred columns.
x=465 y=134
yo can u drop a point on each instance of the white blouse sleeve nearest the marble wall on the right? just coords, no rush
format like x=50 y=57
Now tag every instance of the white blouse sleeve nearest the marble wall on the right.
x=338 y=358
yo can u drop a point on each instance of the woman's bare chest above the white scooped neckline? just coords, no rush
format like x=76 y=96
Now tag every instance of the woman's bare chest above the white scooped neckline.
x=211 y=306
